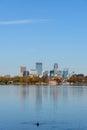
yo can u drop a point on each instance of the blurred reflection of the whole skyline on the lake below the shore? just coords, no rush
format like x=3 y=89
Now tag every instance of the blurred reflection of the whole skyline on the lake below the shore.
x=40 y=94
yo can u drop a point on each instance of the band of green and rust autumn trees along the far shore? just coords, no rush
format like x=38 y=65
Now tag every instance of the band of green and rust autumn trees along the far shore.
x=45 y=80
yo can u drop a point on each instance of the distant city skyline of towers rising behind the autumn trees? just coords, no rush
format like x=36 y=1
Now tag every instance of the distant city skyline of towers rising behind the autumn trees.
x=41 y=71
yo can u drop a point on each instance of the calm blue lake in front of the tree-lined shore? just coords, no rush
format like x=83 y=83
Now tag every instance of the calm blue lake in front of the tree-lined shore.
x=53 y=107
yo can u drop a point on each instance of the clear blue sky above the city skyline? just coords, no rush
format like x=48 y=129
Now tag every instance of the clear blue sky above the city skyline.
x=48 y=31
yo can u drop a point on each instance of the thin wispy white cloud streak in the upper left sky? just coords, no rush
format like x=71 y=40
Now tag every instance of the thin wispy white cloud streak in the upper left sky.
x=25 y=21
